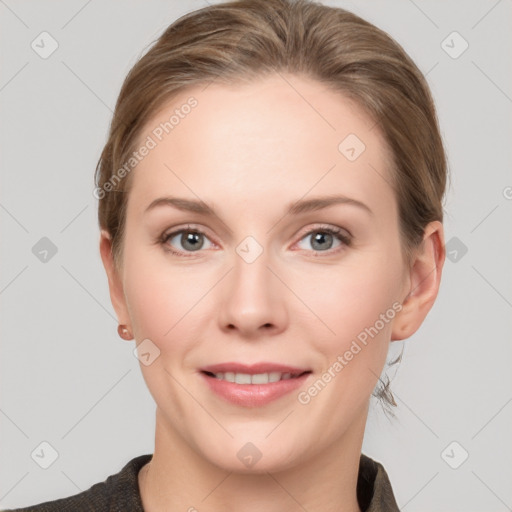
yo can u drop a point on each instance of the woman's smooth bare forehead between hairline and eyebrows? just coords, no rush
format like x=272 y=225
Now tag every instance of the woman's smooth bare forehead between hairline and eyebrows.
x=278 y=138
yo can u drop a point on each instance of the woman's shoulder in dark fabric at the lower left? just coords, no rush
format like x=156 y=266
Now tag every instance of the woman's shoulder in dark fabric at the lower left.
x=118 y=492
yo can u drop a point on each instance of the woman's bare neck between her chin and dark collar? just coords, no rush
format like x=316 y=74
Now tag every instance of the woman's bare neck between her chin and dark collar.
x=179 y=478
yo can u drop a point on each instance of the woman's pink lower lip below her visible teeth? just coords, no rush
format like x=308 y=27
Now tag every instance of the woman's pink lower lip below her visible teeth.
x=253 y=395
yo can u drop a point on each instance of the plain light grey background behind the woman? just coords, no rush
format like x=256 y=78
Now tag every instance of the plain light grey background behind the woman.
x=66 y=377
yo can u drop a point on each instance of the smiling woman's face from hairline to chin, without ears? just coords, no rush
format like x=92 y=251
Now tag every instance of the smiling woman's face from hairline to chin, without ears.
x=260 y=280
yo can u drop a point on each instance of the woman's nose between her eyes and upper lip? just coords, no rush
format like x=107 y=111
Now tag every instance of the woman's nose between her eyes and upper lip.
x=252 y=298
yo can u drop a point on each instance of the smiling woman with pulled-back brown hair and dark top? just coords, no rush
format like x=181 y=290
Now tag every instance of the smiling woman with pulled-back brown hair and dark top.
x=251 y=134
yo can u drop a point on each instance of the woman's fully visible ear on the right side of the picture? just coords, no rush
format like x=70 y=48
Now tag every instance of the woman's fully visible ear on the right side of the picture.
x=423 y=283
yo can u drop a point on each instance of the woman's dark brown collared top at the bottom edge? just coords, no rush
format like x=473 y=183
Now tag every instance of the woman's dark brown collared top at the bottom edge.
x=120 y=492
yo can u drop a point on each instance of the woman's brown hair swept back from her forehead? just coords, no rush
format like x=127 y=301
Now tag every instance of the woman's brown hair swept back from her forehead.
x=247 y=39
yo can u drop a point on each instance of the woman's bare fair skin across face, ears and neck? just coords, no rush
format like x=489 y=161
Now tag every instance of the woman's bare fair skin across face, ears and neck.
x=248 y=151
